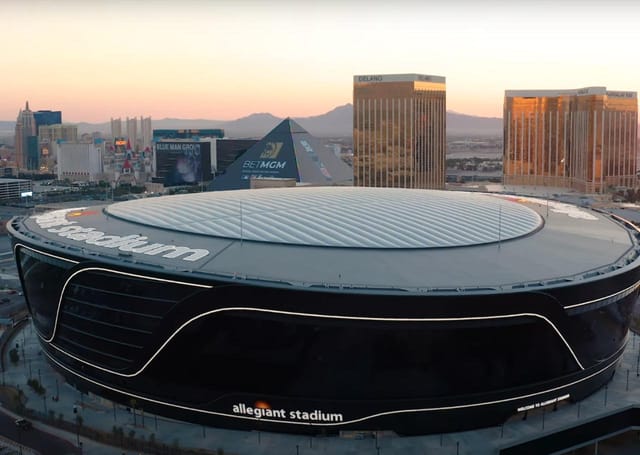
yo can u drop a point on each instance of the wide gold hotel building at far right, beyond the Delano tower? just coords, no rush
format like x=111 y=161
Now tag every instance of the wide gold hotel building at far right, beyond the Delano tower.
x=585 y=139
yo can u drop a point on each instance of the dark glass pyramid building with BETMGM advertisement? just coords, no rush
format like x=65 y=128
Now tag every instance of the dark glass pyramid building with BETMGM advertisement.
x=286 y=152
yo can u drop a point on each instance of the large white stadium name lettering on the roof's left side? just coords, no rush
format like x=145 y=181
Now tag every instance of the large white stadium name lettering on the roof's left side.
x=57 y=222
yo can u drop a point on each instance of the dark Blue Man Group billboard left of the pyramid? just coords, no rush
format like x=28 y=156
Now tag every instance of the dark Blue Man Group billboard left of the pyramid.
x=183 y=163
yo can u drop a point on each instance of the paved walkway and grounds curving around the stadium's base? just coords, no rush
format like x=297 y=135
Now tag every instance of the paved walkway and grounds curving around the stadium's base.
x=61 y=399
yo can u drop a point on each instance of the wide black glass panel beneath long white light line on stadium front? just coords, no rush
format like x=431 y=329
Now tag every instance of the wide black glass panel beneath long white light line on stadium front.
x=318 y=358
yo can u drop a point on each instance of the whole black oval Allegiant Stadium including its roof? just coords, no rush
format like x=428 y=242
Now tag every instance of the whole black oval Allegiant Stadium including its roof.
x=324 y=309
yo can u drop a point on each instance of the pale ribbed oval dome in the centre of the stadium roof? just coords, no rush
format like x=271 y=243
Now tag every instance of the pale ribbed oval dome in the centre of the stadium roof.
x=338 y=217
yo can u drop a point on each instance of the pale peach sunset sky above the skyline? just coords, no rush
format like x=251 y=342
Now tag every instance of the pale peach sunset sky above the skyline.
x=222 y=60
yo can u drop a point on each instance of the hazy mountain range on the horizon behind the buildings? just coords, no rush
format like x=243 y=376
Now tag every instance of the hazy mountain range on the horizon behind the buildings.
x=336 y=123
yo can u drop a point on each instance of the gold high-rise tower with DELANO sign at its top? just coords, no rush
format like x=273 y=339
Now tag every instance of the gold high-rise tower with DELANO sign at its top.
x=399 y=129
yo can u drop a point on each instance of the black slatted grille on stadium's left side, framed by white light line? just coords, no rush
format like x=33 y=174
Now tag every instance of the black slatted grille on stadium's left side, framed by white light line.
x=109 y=319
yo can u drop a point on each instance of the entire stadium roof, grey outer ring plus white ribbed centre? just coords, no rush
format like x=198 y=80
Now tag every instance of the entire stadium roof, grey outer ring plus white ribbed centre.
x=572 y=244
